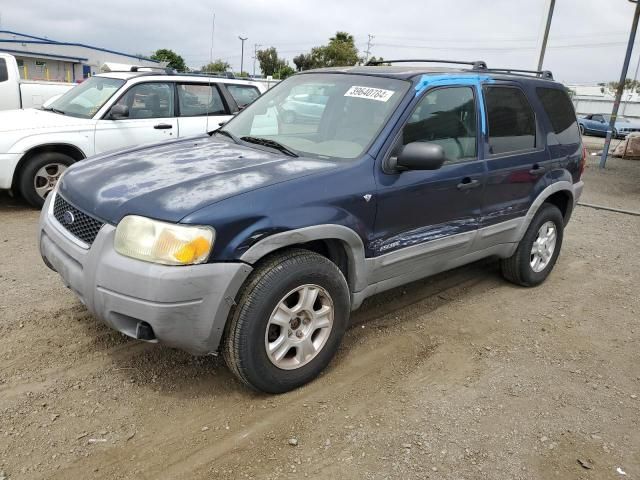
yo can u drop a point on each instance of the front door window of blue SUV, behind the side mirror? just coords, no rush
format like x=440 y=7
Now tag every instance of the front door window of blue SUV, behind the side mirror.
x=447 y=117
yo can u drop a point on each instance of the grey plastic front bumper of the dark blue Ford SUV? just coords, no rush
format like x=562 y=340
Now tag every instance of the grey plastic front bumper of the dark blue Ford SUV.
x=186 y=306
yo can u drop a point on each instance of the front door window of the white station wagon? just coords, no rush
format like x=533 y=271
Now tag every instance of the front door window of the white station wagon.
x=149 y=100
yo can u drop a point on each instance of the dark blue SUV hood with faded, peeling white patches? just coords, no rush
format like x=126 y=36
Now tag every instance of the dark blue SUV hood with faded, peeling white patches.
x=170 y=180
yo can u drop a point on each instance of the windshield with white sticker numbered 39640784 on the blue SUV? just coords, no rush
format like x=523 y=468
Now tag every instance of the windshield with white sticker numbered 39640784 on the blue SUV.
x=320 y=114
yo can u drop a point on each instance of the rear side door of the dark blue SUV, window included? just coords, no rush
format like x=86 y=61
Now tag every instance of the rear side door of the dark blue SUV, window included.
x=516 y=158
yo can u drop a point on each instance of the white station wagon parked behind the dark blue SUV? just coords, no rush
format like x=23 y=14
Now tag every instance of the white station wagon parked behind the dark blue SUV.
x=107 y=112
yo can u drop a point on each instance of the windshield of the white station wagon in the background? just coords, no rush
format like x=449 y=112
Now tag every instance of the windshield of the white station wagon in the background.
x=86 y=99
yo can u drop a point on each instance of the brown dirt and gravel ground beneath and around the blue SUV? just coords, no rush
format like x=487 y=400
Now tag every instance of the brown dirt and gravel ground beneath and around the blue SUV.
x=461 y=376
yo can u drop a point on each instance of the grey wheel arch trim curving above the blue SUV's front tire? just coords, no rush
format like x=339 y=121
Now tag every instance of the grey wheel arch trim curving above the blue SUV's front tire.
x=338 y=243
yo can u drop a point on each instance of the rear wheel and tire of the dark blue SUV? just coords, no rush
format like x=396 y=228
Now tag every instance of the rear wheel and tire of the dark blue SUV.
x=519 y=268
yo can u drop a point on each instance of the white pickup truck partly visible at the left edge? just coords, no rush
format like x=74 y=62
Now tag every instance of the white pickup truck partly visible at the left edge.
x=18 y=93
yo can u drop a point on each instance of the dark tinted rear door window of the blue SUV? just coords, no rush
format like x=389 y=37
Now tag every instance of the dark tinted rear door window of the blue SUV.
x=512 y=124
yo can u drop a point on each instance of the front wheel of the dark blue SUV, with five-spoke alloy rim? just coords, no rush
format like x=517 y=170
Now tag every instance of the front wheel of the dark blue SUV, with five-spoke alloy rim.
x=281 y=283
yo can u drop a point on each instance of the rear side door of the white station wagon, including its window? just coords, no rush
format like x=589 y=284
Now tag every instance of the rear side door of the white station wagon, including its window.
x=201 y=108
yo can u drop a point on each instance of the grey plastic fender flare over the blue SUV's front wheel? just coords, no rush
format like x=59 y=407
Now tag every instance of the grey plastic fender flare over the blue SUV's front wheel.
x=350 y=239
